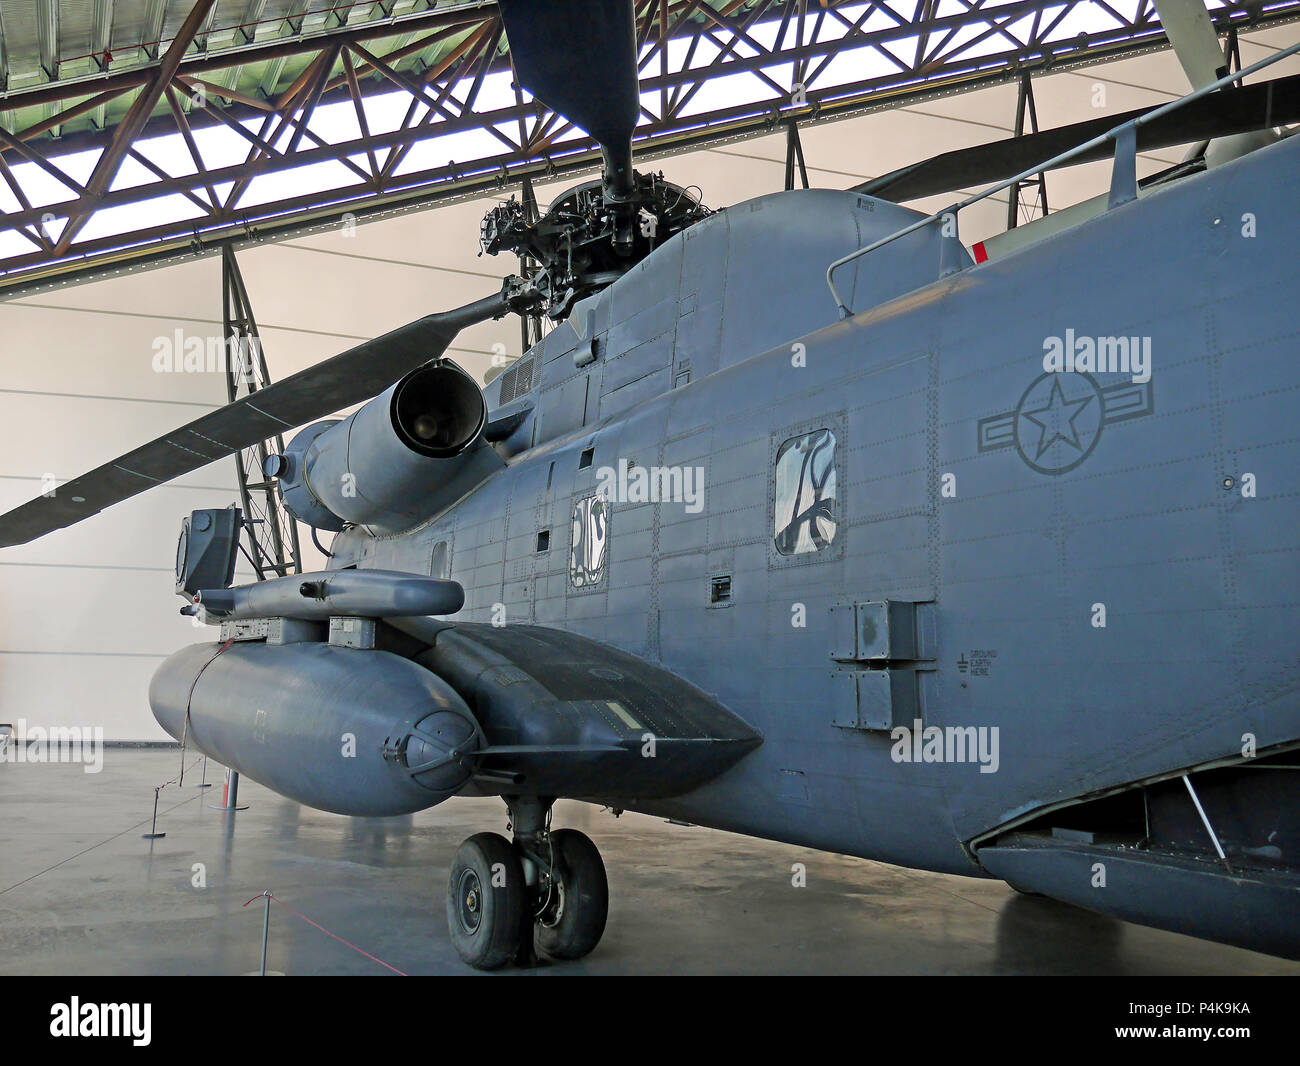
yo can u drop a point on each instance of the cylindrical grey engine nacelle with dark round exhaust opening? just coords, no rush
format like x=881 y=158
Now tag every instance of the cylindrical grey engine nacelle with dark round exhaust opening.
x=402 y=458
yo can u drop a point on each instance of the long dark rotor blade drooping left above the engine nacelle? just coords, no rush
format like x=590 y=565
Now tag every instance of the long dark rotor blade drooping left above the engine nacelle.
x=348 y=379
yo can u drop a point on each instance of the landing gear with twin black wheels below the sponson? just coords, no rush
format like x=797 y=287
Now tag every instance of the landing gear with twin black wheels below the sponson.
x=543 y=891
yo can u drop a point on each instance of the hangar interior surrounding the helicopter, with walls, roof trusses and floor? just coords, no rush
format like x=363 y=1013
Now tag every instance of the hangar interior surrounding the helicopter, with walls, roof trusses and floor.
x=333 y=163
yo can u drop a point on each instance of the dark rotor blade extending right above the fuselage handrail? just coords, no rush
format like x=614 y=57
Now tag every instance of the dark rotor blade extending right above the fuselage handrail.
x=1232 y=111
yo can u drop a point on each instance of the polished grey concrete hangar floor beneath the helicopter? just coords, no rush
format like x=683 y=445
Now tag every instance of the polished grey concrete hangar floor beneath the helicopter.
x=83 y=894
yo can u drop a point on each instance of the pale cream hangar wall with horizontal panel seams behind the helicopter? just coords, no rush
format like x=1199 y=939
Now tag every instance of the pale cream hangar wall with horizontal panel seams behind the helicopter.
x=89 y=613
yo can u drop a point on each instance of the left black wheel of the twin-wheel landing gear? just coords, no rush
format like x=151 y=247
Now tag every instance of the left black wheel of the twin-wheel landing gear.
x=486 y=902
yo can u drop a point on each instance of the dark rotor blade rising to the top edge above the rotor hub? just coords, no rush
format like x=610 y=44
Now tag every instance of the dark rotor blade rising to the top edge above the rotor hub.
x=580 y=59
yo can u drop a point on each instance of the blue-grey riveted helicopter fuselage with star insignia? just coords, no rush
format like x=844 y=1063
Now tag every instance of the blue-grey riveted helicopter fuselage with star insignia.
x=1097 y=562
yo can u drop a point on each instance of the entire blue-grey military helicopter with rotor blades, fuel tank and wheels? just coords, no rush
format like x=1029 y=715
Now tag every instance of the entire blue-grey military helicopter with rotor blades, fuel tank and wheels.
x=917 y=571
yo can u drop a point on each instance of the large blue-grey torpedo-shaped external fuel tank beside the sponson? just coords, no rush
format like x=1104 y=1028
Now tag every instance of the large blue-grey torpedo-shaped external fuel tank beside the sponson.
x=358 y=733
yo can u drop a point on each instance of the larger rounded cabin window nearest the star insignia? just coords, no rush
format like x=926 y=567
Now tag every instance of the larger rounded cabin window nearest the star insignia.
x=804 y=495
